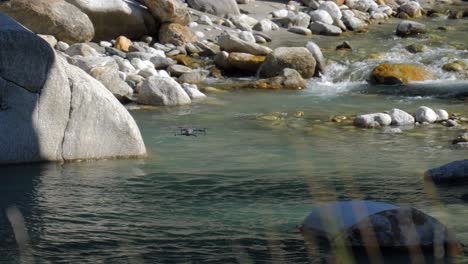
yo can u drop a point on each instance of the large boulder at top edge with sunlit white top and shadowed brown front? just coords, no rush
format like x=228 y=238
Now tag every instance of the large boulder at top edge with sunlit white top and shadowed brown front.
x=113 y=18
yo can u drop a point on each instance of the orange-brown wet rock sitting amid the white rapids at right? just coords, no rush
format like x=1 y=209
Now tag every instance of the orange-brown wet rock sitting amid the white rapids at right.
x=399 y=74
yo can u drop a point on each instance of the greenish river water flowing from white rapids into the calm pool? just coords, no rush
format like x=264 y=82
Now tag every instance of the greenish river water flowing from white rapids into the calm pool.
x=236 y=194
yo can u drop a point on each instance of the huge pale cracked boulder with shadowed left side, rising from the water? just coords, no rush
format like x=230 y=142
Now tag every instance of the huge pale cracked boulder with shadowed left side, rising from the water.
x=53 y=111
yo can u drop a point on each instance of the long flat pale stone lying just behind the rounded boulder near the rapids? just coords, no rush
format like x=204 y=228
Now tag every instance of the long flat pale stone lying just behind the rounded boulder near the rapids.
x=231 y=43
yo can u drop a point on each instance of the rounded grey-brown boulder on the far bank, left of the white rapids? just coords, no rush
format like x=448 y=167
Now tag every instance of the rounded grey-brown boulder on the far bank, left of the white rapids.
x=298 y=58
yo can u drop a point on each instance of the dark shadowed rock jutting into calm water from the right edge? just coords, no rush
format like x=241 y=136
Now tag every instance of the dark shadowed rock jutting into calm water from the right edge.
x=452 y=172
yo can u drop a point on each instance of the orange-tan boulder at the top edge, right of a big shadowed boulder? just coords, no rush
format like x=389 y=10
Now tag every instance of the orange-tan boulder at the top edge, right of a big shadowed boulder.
x=169 y=11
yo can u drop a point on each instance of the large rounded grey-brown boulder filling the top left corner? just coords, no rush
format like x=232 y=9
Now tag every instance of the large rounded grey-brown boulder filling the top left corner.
x=51 y=17
